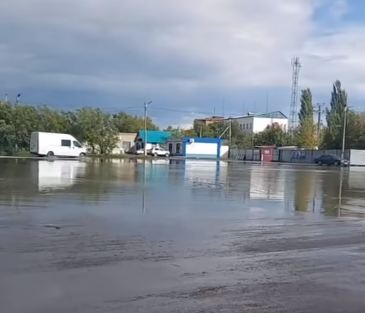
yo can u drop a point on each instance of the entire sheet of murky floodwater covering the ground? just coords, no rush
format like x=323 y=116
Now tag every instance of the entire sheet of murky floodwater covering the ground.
x=180 y=236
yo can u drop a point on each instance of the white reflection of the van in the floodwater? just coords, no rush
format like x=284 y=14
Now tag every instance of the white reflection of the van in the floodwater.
x=58 y=174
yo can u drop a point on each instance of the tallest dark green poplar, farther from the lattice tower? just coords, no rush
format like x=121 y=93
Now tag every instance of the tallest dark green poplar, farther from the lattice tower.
x=335 y=117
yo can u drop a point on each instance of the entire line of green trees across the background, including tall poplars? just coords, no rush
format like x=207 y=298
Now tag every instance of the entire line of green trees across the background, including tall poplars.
x=100 y=129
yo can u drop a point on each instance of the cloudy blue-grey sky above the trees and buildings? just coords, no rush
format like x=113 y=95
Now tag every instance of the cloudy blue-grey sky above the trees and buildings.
x=191 y=58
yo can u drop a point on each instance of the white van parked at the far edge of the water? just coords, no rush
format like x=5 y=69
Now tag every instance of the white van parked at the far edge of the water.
x=54 y=144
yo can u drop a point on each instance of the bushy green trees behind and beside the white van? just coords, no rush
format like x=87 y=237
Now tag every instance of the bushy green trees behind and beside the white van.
x=99 y=129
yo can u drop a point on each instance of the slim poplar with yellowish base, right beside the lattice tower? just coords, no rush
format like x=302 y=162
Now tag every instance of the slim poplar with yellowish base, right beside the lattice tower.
x=306 y=136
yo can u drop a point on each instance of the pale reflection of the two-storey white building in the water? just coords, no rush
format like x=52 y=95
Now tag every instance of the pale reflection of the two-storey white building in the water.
x=267 y=183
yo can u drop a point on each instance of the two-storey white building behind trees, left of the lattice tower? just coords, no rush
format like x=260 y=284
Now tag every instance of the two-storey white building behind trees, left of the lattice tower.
x=254 y=123
